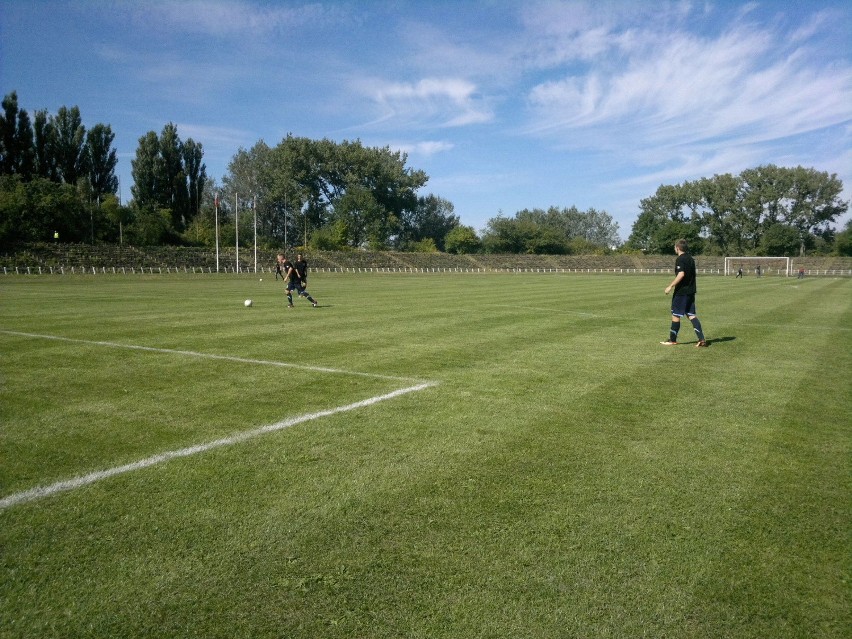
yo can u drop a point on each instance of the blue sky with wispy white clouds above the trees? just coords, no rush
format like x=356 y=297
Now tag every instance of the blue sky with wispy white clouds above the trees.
x=505 y=105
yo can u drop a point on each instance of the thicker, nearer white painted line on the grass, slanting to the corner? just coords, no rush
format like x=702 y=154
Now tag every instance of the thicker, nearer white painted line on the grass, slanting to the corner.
x=84 y=480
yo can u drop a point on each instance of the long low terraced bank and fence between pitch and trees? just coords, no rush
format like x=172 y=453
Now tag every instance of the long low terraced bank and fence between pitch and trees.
x=68 y=259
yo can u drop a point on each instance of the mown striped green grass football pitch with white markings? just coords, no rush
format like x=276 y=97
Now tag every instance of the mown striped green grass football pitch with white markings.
x=424 y=456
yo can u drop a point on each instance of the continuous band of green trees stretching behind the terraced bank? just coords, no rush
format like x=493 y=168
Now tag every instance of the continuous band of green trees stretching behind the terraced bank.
x=58 y=177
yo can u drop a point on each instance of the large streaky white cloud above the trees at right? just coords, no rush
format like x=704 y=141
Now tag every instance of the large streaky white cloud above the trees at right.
x=687 y=91
